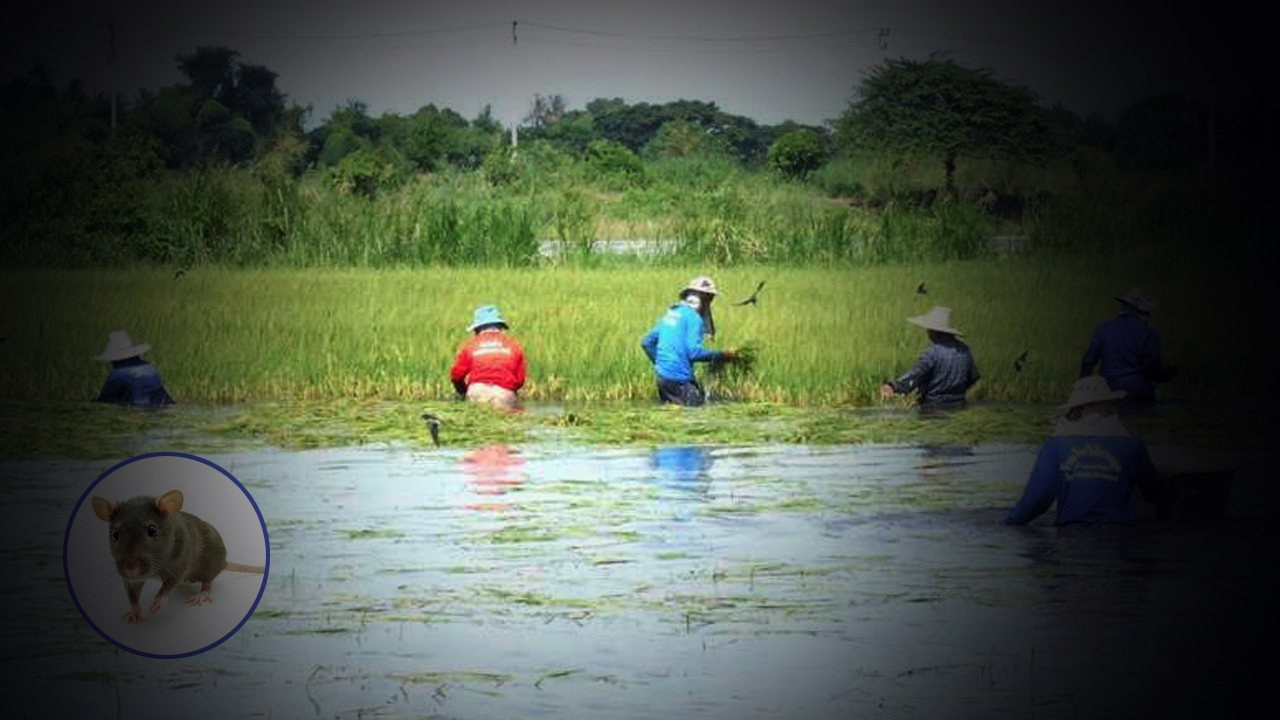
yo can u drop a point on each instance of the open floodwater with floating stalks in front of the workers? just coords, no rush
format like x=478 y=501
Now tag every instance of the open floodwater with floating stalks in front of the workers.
x=676 y=582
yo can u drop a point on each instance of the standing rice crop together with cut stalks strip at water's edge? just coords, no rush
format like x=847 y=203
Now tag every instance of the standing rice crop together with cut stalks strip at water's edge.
x=336 y=357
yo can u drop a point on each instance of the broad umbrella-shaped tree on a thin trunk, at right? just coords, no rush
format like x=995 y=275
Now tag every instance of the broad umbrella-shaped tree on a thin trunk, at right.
x=939 y=107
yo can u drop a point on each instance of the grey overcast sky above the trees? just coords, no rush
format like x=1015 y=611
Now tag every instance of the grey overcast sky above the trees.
x=794 y=60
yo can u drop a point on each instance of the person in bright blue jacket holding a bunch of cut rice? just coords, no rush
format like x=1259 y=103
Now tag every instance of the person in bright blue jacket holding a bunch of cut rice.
x=676 y=343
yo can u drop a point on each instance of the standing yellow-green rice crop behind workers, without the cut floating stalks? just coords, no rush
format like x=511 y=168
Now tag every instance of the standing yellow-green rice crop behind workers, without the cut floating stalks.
x=824 y=336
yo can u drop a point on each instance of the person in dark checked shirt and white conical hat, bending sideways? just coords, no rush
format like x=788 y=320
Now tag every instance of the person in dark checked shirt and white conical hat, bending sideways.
x=945 y=371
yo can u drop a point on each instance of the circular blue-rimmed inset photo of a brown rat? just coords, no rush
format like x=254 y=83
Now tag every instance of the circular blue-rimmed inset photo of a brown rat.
x=167 y=555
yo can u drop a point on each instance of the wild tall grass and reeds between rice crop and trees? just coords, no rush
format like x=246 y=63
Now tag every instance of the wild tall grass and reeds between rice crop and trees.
x=861 y=211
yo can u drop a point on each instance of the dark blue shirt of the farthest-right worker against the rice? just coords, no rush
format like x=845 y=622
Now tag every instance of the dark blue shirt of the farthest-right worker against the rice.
x=1130 y=352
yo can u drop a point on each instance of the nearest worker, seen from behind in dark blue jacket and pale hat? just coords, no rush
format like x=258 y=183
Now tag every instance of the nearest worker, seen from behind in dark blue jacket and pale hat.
x=1091 y=467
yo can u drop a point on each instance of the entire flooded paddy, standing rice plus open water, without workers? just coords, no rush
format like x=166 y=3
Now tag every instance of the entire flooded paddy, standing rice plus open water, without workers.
x=797 y=549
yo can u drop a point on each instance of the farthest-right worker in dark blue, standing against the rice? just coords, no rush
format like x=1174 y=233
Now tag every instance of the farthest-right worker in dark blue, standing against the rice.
x=1128 y=350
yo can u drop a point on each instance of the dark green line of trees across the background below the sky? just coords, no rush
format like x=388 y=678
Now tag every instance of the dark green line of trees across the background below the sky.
x=74 y=157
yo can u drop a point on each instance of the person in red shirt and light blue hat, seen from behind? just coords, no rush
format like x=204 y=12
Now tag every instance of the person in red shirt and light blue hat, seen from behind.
x=491 y=367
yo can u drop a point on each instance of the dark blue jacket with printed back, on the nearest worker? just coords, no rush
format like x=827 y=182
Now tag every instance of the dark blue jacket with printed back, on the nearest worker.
x=1091 y=479
